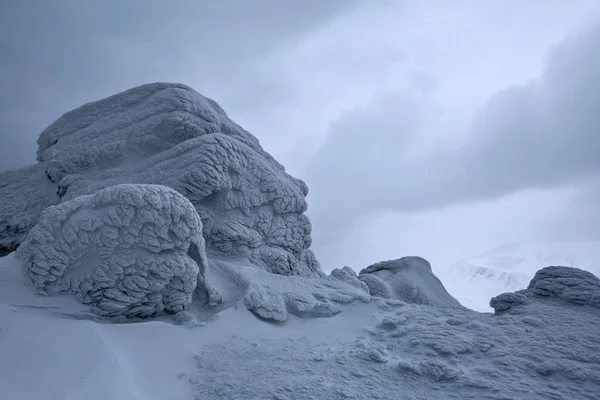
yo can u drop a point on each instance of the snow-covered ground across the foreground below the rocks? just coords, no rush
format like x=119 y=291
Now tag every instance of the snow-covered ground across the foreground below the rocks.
x=548 y=348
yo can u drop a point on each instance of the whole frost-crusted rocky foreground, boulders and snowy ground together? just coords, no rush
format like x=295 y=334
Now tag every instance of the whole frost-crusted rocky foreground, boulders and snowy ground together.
x=154 y=207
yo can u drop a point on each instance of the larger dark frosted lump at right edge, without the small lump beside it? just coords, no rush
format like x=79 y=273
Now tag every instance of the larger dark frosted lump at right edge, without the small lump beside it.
x=573 y=285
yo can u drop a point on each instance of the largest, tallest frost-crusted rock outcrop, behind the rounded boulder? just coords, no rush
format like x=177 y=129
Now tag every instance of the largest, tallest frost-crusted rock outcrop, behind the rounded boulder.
x=168 y=134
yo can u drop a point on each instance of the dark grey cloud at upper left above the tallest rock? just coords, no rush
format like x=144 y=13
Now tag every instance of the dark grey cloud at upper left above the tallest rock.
x=56 y=55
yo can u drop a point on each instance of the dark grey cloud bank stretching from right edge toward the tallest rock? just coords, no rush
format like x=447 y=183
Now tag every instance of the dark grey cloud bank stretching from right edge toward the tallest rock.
x=539 y=135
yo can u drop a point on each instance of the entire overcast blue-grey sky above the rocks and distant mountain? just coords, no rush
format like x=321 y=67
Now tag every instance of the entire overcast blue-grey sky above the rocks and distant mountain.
x=435 y=128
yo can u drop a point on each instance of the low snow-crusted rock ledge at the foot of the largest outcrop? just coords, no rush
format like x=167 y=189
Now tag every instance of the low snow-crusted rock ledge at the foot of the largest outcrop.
x=275 y=297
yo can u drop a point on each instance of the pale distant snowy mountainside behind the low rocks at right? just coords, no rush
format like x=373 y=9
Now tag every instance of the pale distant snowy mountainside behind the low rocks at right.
x=510 y=267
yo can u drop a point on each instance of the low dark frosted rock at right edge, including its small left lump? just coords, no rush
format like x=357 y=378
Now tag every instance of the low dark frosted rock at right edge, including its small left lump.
x=572 y=285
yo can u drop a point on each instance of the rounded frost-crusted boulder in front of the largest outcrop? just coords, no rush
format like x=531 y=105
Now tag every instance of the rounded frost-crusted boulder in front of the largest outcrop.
x=127 y=250
